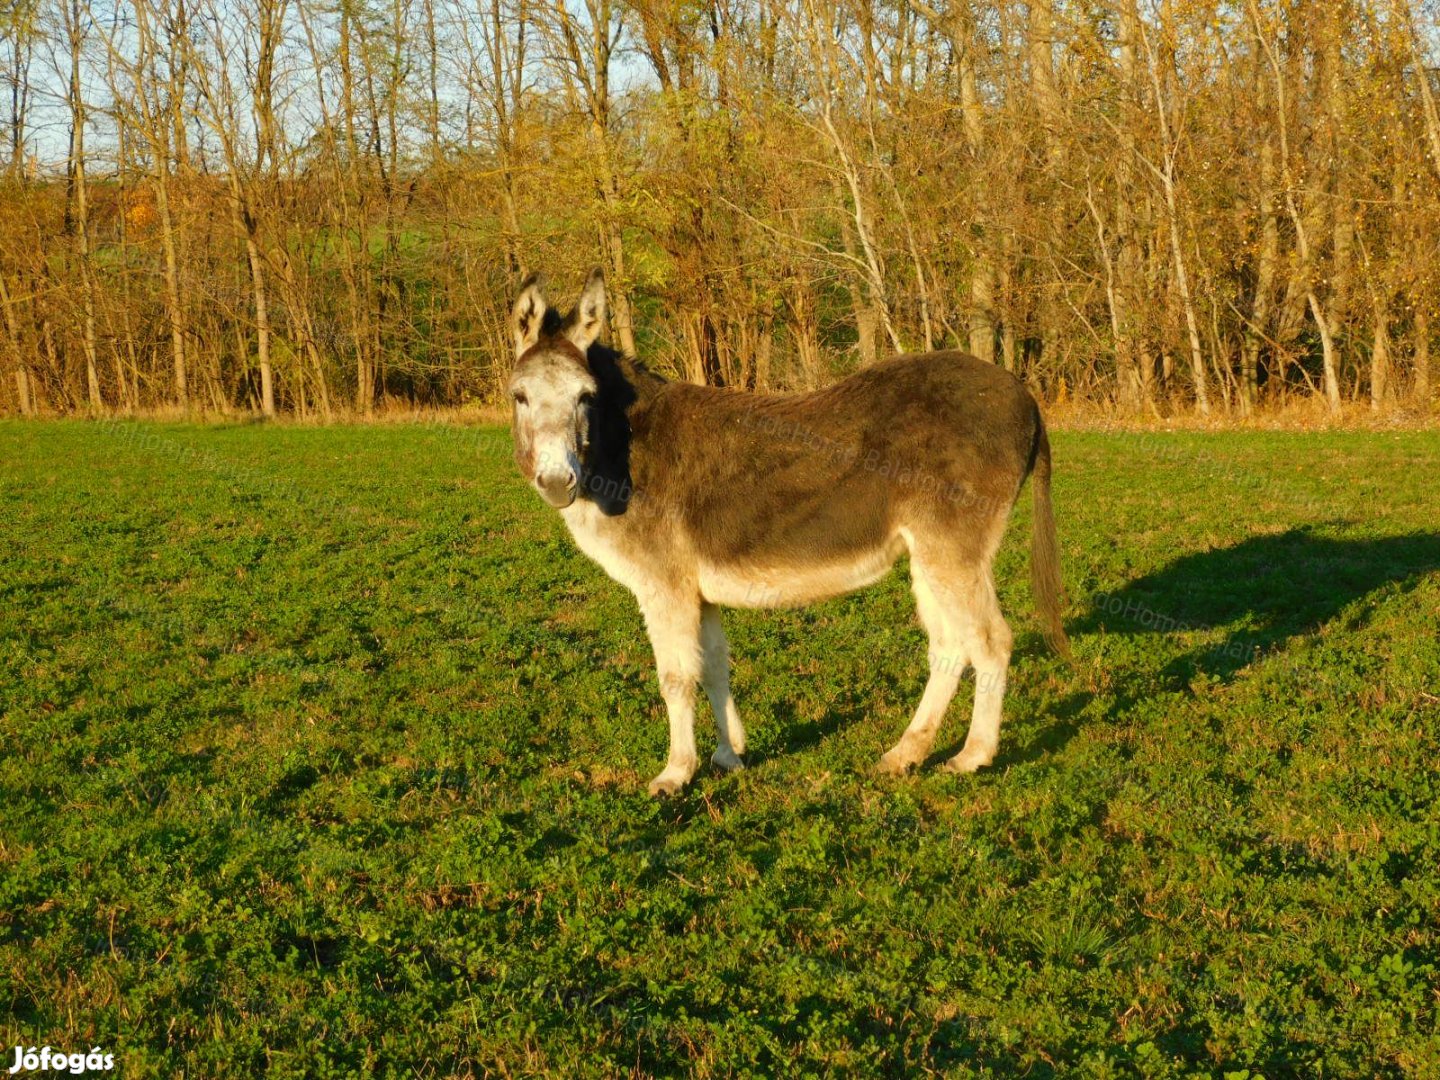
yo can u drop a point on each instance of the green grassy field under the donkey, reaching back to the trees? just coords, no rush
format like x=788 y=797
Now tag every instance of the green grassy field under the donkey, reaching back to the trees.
x=323 y=754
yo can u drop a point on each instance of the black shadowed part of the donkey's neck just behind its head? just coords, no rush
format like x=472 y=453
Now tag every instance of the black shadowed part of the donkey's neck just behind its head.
x=624 y=390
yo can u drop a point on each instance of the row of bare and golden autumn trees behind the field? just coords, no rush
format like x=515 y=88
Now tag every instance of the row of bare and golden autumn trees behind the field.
x=323 y=207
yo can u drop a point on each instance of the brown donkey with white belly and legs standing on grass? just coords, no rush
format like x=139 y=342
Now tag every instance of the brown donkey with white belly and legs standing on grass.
x=698 y=498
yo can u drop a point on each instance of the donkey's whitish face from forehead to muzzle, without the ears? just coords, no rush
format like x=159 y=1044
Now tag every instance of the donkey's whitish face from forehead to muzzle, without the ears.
x=552 y=392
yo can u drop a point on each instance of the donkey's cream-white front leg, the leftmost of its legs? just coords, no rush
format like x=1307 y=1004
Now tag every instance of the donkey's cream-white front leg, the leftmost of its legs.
x=675 y=631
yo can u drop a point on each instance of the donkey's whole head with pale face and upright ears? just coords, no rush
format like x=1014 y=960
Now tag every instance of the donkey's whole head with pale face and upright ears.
x=554 y=388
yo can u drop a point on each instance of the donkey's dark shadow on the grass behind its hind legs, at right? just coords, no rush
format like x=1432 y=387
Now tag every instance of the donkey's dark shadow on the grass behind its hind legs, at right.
x=1264 y=593
